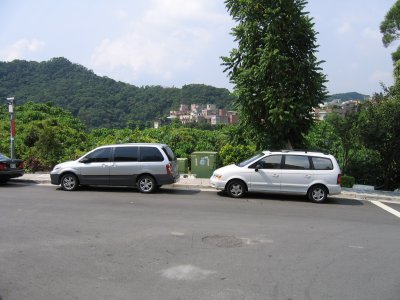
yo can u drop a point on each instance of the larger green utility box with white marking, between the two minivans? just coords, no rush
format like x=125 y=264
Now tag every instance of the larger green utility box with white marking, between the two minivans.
x=203 y=163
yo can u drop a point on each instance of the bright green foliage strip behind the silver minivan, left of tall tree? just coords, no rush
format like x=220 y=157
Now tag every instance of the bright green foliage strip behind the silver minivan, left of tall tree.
x=47 y=135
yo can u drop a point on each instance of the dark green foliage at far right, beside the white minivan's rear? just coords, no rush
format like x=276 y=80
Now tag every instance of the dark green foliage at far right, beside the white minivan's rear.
x=366 y=143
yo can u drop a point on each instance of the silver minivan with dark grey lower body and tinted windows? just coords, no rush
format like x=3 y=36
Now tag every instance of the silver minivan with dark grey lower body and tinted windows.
x=146 y=166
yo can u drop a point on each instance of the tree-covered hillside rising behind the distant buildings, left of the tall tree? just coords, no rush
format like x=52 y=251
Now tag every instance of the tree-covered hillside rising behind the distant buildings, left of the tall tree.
x=99 y=101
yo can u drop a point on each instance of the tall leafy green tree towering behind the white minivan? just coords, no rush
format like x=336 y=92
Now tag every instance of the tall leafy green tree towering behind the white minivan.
x=275 y=71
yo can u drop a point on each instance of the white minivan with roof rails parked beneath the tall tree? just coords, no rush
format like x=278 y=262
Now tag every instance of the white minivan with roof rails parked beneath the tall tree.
x=313 y=174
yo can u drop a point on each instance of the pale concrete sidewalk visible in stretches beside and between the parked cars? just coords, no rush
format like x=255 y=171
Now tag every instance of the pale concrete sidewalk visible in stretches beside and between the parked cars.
x=189 y=182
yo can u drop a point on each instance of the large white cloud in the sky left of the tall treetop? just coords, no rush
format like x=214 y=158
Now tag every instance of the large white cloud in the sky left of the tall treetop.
x=168 y=37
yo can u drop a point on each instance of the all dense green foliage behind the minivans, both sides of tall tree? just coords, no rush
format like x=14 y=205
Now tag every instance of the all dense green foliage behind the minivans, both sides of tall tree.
x=365 y=143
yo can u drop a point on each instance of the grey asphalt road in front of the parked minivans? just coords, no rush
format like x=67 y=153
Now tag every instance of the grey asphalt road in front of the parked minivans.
x=111 y=243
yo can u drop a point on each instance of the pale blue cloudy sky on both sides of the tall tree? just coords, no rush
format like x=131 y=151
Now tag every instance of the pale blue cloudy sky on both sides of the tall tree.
x=178 y=42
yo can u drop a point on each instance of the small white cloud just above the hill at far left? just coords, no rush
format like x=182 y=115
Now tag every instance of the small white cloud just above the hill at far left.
x=21 y=49
